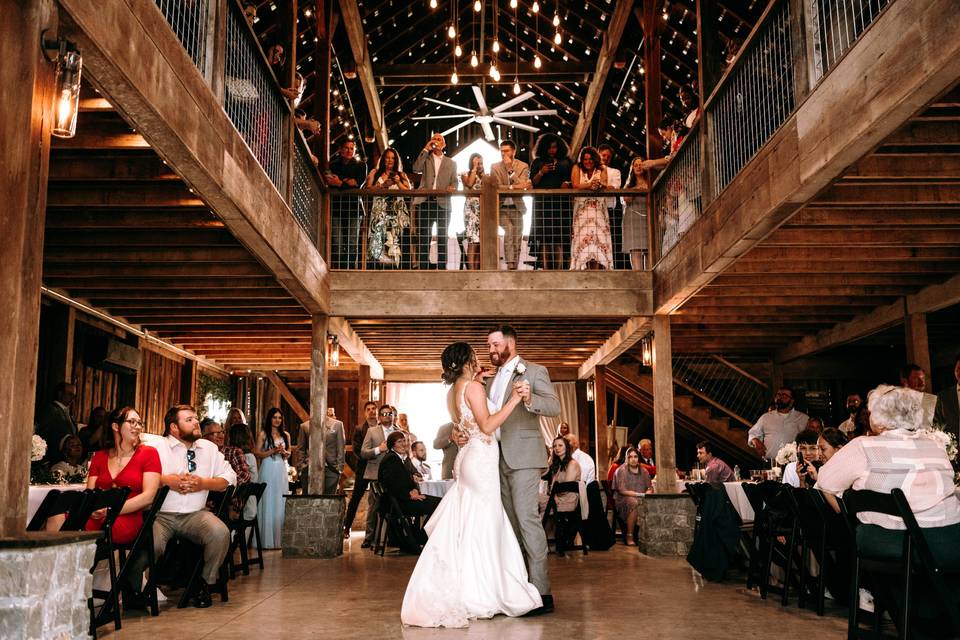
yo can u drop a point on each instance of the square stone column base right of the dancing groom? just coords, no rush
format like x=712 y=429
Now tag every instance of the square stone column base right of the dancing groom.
x=666 y=524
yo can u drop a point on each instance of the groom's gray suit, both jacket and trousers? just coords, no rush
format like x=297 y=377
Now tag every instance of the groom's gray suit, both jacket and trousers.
x=523 y=457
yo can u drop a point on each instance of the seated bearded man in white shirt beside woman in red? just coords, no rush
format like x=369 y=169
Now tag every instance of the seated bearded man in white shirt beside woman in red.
x=192 y=467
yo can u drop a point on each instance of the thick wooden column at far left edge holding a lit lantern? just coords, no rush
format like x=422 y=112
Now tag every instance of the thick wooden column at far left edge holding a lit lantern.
x=28 y=97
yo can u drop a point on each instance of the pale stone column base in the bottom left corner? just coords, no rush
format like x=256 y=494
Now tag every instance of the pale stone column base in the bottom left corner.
x=45 y=581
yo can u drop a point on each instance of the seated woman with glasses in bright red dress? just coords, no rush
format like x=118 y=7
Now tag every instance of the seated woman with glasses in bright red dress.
x=123 y=461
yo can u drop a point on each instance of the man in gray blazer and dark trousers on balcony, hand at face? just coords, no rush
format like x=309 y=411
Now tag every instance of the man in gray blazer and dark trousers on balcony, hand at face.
x=439 y=173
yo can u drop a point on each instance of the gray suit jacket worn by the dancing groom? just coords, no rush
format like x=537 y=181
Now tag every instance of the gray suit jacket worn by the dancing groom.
x=521 y=443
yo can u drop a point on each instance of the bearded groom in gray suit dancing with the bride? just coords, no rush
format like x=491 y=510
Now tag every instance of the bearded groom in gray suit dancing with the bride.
x=522 y=451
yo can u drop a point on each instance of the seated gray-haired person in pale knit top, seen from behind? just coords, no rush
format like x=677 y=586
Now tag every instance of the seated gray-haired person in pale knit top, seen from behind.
x=896 y=457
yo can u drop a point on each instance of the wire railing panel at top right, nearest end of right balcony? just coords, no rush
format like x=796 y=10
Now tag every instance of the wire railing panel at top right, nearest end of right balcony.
x=836 y=25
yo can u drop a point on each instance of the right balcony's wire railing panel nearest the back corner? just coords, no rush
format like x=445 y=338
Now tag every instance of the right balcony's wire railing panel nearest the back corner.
x=677 y=195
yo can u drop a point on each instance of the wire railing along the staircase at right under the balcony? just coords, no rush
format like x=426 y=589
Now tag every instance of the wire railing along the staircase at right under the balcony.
x=721 y=384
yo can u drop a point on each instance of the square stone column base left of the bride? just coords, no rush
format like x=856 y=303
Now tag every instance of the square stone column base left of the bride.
x=313 y=526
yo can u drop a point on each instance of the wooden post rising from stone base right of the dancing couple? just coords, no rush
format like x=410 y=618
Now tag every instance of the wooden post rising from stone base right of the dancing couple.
x=663 y=428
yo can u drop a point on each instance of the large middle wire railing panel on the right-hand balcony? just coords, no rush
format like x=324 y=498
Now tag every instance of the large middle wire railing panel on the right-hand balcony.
x=756 y=98
